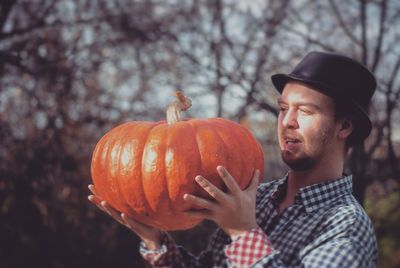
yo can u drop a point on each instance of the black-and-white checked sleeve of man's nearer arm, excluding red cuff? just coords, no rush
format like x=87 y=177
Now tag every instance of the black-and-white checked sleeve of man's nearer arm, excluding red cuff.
x=346 y=240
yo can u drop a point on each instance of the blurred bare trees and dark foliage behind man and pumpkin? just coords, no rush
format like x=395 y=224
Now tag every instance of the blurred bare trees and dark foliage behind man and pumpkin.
x=70 y=70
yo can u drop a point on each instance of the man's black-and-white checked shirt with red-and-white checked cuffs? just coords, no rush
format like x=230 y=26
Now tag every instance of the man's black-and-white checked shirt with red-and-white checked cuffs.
x=325 y=227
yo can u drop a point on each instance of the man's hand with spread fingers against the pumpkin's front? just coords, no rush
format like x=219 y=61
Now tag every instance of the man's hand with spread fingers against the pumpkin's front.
x=235 y=211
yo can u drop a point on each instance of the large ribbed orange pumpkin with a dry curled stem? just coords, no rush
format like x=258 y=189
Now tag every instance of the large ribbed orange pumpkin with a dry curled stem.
x=144 y=168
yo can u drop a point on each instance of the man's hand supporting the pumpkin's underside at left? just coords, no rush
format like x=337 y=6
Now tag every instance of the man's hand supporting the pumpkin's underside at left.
x=150 y=235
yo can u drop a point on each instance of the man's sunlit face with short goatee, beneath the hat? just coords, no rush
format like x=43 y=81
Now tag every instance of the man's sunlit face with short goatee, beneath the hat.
x=306 y=126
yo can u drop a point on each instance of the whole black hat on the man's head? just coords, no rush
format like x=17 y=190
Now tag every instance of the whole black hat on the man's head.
x=347 y=81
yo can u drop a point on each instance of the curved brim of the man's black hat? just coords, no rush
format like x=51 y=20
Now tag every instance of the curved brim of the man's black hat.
x=362 y=124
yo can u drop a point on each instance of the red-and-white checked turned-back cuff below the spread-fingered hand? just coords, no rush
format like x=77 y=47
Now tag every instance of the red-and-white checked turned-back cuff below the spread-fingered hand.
x=249 y=248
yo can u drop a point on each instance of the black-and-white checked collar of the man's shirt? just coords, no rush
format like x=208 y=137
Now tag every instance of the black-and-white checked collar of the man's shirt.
x=317 y=195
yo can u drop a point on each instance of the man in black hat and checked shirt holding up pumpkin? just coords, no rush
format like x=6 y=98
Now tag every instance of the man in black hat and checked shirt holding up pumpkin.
x=307 y=219
